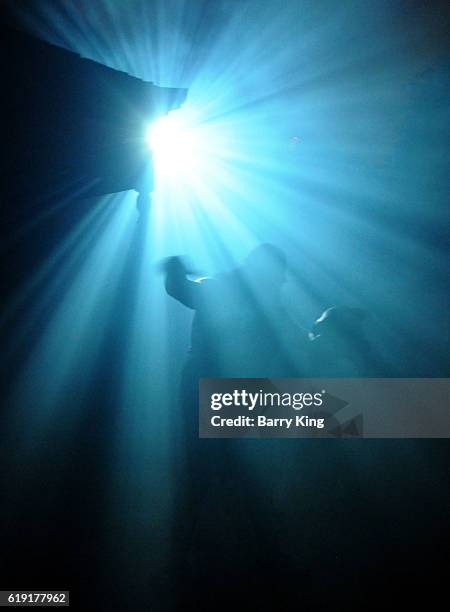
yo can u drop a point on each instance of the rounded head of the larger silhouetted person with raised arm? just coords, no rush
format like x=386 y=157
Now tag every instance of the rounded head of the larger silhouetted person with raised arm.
x=266 y=264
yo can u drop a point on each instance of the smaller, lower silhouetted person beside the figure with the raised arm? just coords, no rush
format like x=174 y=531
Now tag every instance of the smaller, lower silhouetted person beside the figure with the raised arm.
x=339 y=348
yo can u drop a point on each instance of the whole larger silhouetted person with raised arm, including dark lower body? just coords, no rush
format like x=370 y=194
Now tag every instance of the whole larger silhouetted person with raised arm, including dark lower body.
x=240 y=329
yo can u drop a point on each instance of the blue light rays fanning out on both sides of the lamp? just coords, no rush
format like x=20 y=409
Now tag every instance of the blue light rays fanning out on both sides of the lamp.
x=317 y=127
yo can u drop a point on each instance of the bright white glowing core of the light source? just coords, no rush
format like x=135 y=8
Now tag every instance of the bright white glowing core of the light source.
x=174 y=145
